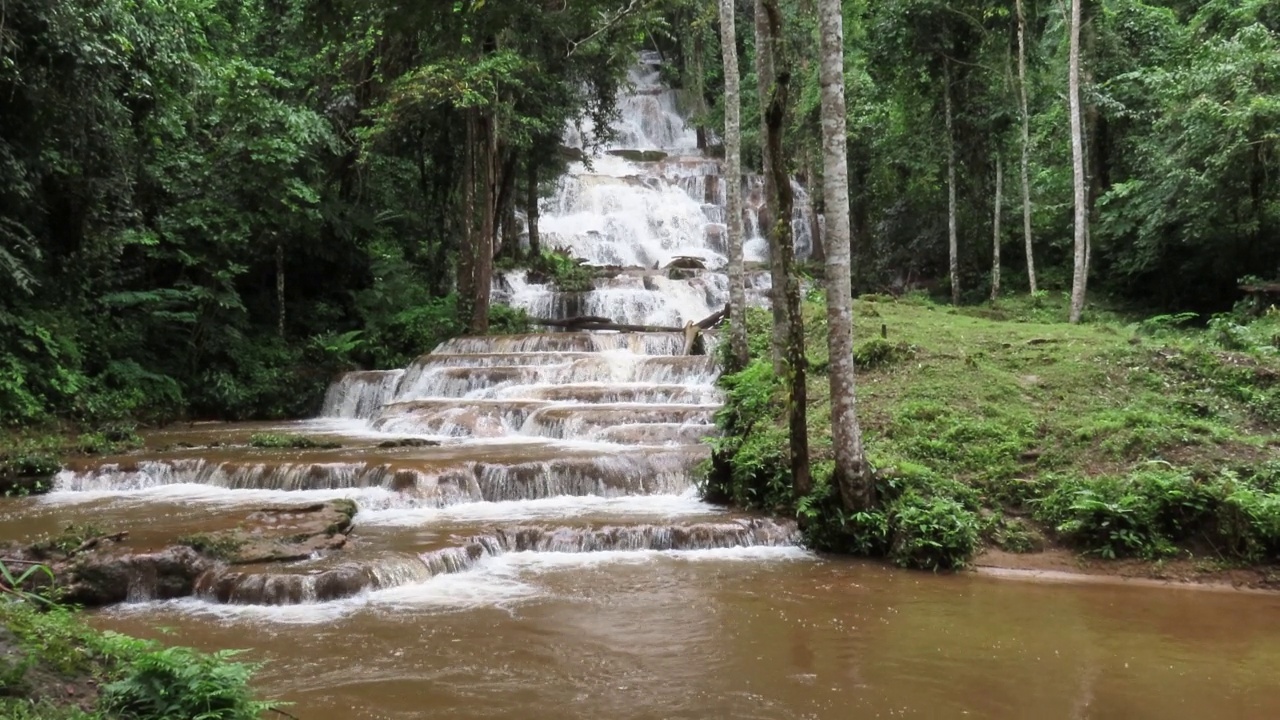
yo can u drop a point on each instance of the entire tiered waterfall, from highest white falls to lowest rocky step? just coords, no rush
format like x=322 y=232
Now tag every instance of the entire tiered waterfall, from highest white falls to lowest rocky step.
x=574 y=444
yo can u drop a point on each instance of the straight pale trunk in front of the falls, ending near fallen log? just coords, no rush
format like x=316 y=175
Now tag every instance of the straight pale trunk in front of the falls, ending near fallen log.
x=734 y=190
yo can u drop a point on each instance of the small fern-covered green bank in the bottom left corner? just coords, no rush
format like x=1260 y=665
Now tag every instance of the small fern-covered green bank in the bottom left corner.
x=53 y=667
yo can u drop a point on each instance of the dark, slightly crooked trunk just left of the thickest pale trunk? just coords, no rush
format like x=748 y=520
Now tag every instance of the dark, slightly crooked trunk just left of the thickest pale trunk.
x=794 y=353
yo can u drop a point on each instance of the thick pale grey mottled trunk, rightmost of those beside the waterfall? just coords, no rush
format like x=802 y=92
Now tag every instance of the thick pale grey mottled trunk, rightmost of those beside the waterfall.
x=857 y=491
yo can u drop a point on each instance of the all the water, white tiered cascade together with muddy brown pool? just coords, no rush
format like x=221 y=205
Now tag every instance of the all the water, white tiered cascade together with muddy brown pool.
x=550 y=557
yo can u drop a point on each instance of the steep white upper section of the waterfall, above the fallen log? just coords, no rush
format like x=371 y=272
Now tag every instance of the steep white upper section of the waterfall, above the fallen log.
x=641 y=203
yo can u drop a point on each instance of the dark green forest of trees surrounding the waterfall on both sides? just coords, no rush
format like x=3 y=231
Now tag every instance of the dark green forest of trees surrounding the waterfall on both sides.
x=212 y=207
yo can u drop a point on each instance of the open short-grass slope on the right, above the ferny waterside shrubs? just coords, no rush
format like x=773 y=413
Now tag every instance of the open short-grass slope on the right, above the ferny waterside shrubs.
x=991 y=397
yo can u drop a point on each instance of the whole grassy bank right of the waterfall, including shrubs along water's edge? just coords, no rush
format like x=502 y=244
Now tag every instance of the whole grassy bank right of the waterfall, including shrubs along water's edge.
x=1005 y=427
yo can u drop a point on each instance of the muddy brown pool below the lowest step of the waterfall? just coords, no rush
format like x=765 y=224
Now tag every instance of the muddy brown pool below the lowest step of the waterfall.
x=772 y=637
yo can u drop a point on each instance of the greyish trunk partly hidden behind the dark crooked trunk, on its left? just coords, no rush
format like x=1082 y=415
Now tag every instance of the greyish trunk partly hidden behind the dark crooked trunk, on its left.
x=765 y=51
